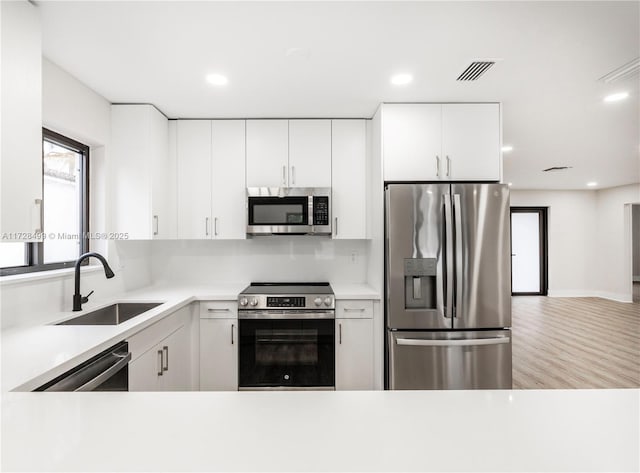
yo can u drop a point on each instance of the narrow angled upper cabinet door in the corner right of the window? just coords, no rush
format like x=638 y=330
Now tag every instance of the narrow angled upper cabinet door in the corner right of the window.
x=163 y=171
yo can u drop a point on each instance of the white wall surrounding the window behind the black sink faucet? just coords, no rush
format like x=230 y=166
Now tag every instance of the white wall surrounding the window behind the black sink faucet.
x=74 y=110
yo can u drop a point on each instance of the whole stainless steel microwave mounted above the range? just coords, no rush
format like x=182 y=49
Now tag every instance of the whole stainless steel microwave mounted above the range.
x=288 y=211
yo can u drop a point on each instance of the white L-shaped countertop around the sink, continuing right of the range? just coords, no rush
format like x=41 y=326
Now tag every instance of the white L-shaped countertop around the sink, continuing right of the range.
x=32 y=355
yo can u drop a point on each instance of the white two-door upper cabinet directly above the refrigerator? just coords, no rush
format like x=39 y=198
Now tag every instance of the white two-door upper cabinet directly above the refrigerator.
x=431 y=142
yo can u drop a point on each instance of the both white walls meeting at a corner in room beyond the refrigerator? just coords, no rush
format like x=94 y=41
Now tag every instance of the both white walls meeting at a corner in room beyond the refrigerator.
x=589 y=239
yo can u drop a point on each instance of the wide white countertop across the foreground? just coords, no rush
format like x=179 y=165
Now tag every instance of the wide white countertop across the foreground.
x=554 y=430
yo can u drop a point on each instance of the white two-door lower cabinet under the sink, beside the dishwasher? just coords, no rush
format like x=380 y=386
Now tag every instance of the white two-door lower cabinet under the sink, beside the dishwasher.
x=161 y=359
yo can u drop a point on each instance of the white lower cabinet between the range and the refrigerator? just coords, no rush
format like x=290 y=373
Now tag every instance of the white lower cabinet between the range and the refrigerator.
x=354 y=345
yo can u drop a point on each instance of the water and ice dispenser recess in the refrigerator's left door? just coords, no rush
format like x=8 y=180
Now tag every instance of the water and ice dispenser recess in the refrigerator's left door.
x=420 y=283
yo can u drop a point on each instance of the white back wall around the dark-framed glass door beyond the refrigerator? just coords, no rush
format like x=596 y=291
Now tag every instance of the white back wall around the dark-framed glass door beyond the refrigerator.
x=572 y=239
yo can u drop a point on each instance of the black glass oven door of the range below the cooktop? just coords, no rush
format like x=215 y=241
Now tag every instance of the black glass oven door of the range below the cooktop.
x=286 y=354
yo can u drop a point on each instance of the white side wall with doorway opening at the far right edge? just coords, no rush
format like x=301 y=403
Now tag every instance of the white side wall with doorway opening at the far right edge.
x=613 y=244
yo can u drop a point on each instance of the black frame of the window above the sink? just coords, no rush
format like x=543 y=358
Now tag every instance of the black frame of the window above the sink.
x=34 y=251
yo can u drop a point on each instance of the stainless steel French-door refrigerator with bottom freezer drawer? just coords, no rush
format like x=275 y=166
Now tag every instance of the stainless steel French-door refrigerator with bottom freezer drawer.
x=448 y=286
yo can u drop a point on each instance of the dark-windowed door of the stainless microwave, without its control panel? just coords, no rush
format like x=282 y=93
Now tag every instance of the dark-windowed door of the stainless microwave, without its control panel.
x=289 y=214
